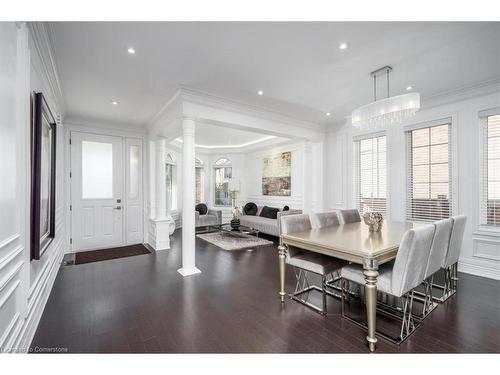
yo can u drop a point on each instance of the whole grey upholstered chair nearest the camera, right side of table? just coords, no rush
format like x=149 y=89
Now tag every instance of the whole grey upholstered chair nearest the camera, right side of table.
x=401 y=277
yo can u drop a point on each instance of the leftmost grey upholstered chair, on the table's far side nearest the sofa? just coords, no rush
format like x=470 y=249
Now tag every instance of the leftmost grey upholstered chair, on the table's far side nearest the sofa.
x=305 y=262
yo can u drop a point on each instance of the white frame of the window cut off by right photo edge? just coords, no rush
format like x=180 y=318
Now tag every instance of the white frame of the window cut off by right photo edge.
x=483 y=165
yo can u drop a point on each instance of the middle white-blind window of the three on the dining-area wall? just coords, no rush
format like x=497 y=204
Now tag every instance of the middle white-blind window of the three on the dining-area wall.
x=429 y=173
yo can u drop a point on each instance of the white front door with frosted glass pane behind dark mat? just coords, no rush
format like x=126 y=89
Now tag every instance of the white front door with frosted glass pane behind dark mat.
x=97 y=191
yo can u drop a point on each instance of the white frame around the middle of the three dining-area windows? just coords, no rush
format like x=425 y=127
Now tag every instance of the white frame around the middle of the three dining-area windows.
x=452 y=185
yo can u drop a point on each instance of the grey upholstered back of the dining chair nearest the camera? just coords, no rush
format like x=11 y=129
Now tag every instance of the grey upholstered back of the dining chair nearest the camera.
x=411 y=260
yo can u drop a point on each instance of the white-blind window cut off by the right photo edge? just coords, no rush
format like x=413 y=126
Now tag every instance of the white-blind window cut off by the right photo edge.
x=490 y=171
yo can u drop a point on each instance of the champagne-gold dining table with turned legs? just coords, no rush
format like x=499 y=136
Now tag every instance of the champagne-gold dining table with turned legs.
x=355 y=243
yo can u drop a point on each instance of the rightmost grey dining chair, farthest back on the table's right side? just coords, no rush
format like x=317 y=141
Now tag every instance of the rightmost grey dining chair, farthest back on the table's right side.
x=450 y=260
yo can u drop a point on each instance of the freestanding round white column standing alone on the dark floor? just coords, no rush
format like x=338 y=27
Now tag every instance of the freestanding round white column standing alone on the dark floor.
x=188 y=199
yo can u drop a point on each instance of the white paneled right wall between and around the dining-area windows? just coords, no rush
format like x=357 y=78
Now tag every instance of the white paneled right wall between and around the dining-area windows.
x=481 y=250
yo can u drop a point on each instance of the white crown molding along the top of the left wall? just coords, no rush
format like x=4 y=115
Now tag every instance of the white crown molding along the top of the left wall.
x=42 y=36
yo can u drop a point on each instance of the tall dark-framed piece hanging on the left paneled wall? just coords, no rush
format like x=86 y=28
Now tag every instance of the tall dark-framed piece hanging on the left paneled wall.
x=43 y=176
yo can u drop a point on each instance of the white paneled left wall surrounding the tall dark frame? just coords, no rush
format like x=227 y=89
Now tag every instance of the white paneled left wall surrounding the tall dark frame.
x=24 y=285
